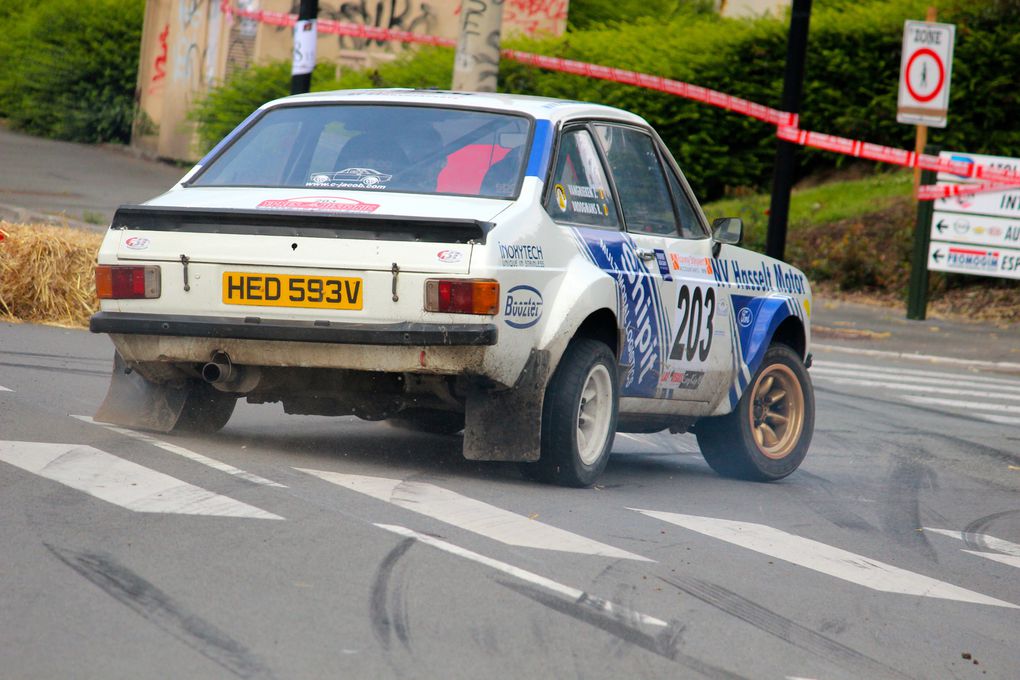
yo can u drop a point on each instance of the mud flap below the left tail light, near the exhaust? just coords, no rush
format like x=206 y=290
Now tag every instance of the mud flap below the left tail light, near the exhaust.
x=135 y=402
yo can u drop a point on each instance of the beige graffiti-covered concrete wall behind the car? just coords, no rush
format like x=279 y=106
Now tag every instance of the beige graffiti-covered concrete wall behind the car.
x=189 y=45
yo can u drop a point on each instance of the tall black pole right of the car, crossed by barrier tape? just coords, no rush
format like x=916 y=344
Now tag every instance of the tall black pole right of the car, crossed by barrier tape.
x=793 y=86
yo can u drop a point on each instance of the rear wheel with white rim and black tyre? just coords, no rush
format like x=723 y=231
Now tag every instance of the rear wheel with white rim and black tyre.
x=579 y=417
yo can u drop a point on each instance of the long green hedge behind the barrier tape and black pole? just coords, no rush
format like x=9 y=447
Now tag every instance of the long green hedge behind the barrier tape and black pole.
x=850 y=88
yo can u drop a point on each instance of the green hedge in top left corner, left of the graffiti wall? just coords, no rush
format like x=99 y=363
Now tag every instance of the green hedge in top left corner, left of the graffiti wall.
x=69 y=69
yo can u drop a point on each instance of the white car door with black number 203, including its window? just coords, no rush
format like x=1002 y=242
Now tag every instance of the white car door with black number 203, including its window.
x=672 y=241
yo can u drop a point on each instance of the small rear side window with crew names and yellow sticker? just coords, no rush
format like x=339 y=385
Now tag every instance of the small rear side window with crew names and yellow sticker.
x=581 y=193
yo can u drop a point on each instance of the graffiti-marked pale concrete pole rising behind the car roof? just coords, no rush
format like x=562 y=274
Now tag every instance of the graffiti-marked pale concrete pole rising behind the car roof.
x=477 y=64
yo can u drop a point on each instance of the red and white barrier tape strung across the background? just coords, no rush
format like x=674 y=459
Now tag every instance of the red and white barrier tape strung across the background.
x=786 y=123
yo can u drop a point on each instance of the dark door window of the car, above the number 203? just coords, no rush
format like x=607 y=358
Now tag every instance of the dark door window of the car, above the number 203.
x=638 y=175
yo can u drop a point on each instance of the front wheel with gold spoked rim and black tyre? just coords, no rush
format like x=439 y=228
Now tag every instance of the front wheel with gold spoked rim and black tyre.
x=769 y=434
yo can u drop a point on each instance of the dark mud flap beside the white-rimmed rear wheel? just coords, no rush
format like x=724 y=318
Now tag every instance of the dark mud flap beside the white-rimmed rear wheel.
x=506 y=425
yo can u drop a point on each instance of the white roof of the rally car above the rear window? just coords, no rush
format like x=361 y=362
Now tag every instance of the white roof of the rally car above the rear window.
x=541 y=109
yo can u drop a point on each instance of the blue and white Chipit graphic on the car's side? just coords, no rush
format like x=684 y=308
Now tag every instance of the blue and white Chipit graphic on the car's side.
x=639 y=306
